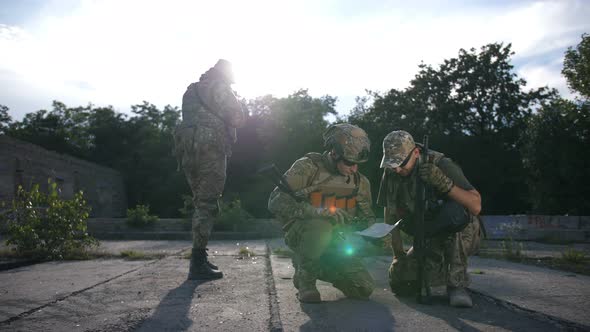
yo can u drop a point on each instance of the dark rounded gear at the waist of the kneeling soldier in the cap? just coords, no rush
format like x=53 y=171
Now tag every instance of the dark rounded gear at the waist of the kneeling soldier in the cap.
x=450 y=218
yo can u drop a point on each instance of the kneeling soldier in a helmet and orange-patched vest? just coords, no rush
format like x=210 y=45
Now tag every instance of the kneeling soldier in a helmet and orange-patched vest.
x=334 y=191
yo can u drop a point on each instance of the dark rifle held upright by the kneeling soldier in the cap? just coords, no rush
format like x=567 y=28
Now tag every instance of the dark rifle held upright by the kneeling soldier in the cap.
x=422 y=284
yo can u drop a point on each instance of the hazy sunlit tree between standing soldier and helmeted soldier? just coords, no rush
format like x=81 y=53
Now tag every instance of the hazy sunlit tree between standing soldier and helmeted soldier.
x=277 y=130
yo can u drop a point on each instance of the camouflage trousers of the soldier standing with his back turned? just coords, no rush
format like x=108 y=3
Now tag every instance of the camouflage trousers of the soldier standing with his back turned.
x=206 y=177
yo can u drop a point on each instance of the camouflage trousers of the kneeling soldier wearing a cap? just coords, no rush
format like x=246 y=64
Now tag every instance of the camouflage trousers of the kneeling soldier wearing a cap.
x=446 y=259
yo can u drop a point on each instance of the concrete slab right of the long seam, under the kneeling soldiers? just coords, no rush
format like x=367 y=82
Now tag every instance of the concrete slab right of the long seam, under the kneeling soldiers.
x=385 y=312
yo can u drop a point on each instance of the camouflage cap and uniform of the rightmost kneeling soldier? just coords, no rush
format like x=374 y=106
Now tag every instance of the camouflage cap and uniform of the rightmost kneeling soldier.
x=447 y=252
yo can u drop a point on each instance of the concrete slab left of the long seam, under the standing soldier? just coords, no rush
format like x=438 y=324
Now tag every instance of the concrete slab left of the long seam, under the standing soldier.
x=153 y=297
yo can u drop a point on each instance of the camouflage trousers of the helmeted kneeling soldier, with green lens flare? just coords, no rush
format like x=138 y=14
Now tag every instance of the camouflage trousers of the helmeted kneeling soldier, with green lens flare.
x=316 y=256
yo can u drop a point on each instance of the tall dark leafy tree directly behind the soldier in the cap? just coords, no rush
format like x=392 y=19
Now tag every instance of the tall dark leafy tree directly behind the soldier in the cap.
x=474 y=108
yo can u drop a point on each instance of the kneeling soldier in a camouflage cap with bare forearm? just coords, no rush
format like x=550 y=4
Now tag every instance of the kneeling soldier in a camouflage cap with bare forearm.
x=451 y=223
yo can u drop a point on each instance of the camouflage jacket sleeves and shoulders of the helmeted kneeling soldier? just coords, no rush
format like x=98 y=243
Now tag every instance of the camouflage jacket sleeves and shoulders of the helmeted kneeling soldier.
x=303 y=174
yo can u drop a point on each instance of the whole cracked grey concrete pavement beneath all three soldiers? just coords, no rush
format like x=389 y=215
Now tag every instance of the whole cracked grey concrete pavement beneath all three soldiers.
x=256 y=294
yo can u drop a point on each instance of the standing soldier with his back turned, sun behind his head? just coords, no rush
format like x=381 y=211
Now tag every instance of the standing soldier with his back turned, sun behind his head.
x=210 y=115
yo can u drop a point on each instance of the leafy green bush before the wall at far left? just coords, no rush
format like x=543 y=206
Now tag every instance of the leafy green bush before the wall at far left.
x=45 y=226
